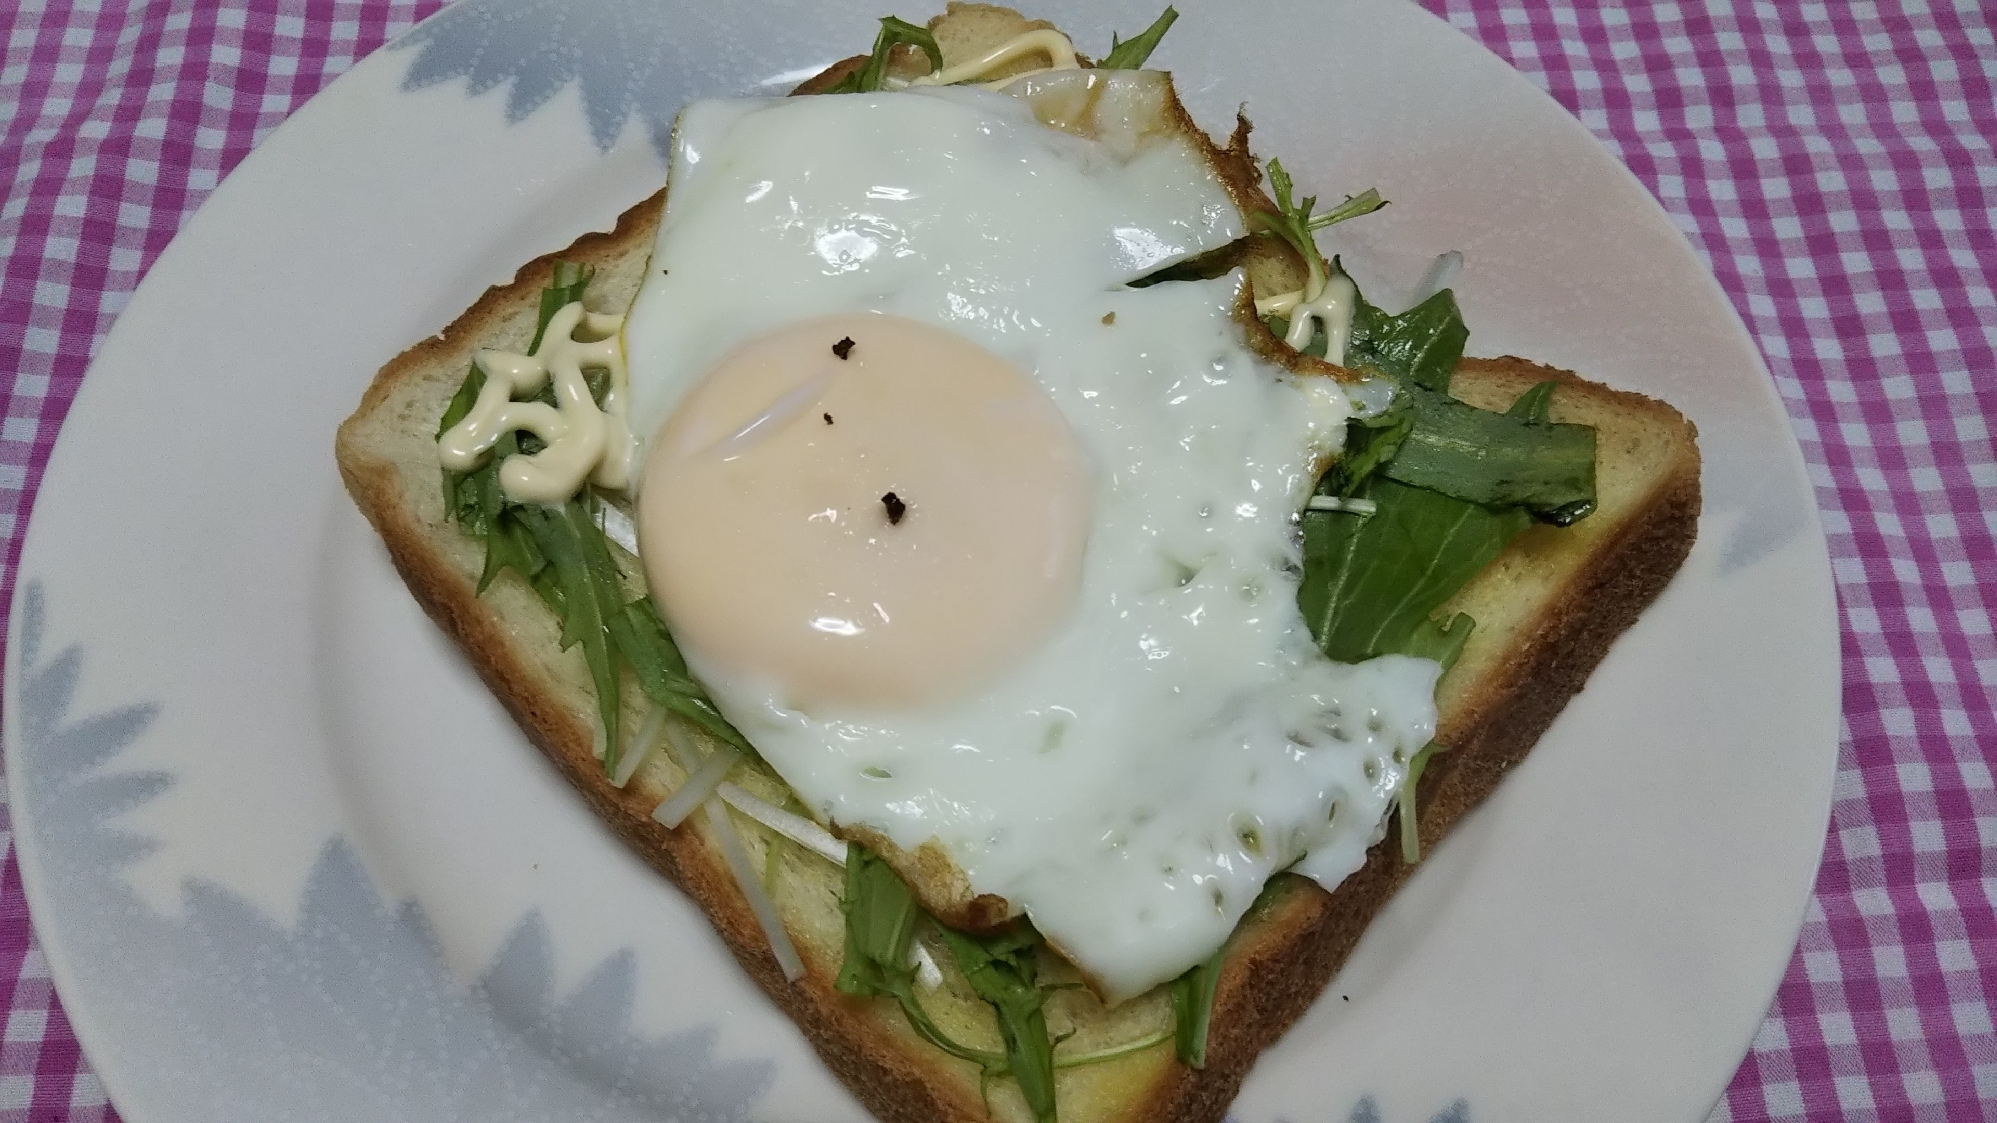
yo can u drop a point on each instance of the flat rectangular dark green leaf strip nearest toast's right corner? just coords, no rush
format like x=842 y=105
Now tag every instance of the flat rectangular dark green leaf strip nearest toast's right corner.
x=1497 y=461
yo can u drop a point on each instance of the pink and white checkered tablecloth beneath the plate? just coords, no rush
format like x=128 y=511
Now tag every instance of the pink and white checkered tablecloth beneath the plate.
x=1834 y=163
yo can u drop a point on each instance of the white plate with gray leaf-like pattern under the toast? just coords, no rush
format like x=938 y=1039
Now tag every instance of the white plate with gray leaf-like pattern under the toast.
x=293 y=862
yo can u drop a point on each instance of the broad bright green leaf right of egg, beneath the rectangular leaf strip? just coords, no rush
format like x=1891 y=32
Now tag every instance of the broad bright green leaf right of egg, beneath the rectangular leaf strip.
x=1371 y=584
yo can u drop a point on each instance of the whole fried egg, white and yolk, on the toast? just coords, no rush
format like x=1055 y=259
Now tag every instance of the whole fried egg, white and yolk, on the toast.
x=982 y=547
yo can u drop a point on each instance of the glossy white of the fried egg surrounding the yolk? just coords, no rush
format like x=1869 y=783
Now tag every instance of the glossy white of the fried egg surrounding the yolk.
x=1179 y=738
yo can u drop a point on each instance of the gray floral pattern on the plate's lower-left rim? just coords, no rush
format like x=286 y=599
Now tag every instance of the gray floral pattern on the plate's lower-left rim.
x=346 y=1016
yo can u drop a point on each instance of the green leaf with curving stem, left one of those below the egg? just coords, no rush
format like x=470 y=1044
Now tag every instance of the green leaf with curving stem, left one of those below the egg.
x=882 y=916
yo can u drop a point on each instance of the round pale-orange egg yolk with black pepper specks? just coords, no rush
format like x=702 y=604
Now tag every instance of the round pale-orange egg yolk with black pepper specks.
x=866 y=511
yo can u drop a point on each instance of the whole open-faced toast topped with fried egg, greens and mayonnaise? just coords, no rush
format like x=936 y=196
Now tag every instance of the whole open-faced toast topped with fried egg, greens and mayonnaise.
x=970 y=539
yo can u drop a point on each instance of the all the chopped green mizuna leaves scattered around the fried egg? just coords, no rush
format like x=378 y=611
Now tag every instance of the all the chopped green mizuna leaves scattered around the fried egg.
x=1441 y=491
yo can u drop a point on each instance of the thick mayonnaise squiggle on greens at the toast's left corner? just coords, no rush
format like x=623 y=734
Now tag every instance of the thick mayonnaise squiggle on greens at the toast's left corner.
x=584 y=443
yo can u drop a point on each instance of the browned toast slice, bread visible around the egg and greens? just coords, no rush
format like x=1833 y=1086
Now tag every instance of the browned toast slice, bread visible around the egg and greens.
x=1547 y=610
